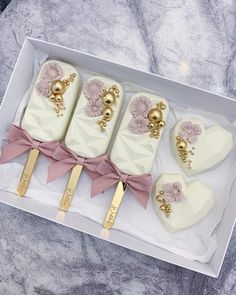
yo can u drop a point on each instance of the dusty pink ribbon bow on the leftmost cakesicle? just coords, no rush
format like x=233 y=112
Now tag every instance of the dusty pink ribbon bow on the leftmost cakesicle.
x=20 y=141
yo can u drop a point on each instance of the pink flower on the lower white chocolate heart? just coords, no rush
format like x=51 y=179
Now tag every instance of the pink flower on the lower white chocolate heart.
x=173 y=192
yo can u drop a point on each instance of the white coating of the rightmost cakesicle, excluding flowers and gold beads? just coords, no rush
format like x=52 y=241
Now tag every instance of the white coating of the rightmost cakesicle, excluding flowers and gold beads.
x=134 y=154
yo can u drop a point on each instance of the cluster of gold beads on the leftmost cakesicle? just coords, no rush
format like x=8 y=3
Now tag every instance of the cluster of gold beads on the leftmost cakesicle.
x=58 y=88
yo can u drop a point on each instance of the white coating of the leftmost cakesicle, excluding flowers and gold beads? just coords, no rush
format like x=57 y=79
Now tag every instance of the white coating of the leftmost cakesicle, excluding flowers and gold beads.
x=40 y=118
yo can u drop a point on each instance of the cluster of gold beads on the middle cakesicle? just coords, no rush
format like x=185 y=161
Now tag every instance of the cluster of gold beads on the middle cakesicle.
x=108 y=98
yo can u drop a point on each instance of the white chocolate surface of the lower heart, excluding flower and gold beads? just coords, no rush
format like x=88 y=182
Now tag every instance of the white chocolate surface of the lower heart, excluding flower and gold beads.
x=197 y=202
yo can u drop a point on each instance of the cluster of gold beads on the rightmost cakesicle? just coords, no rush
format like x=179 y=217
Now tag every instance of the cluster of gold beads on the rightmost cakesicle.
x=155 y=118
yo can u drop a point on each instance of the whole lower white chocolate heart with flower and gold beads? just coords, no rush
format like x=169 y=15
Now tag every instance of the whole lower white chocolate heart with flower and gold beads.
x=188 y=203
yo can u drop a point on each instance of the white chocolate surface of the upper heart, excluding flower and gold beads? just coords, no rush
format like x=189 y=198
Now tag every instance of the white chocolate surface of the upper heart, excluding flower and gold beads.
x=212 y=146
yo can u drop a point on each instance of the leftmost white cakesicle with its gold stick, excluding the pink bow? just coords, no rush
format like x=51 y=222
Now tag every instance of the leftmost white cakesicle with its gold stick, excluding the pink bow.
x=49 y=110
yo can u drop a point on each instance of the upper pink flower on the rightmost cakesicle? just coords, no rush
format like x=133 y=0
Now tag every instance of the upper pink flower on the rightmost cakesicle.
x=140 y=106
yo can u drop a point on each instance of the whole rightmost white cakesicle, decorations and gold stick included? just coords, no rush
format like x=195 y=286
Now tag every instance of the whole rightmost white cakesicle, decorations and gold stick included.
x=135 y=147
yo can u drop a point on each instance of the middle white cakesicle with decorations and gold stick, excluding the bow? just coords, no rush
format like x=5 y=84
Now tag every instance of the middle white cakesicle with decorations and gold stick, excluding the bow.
x=92 y=126
